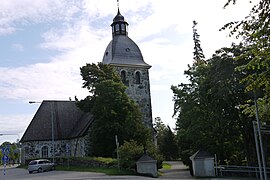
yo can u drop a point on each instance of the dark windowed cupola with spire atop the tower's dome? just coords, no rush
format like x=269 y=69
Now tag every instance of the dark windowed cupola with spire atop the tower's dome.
x=119 y=25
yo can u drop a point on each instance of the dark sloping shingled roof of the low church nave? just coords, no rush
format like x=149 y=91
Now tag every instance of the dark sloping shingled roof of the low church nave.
x=68 y=122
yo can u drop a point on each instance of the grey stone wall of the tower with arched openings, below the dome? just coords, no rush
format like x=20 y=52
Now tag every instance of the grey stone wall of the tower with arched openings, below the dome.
x=139 y=92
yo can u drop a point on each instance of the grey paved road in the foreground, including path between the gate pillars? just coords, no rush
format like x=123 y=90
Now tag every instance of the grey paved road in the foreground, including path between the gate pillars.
x=178 y=171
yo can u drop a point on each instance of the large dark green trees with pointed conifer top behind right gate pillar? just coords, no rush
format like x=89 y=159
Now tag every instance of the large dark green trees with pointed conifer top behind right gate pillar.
x=209 y=108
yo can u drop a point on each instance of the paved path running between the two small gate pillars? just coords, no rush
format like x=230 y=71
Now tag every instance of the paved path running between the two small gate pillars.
x=180 y=171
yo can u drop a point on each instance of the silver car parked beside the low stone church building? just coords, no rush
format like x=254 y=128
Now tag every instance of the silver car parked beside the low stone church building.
x=40 y=165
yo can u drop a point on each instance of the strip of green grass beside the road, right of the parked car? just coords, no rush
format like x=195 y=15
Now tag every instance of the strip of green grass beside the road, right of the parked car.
x=108 y=171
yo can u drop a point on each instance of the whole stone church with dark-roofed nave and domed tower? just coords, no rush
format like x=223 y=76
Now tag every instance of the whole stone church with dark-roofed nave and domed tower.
x=59 y=128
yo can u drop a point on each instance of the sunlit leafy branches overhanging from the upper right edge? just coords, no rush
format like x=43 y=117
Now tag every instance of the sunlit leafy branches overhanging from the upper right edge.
x=254 y=33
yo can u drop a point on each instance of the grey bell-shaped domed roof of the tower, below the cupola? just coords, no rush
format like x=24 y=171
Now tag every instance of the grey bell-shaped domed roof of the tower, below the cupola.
x=123 y=51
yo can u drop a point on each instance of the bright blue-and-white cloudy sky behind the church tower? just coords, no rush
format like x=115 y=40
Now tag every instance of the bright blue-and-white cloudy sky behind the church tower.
x=43 y=44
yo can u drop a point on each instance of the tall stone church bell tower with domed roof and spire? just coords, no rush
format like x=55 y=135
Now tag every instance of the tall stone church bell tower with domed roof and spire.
x=126 y=57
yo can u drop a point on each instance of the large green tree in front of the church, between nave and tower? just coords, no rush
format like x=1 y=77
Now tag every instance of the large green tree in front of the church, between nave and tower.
x=114 y=113
